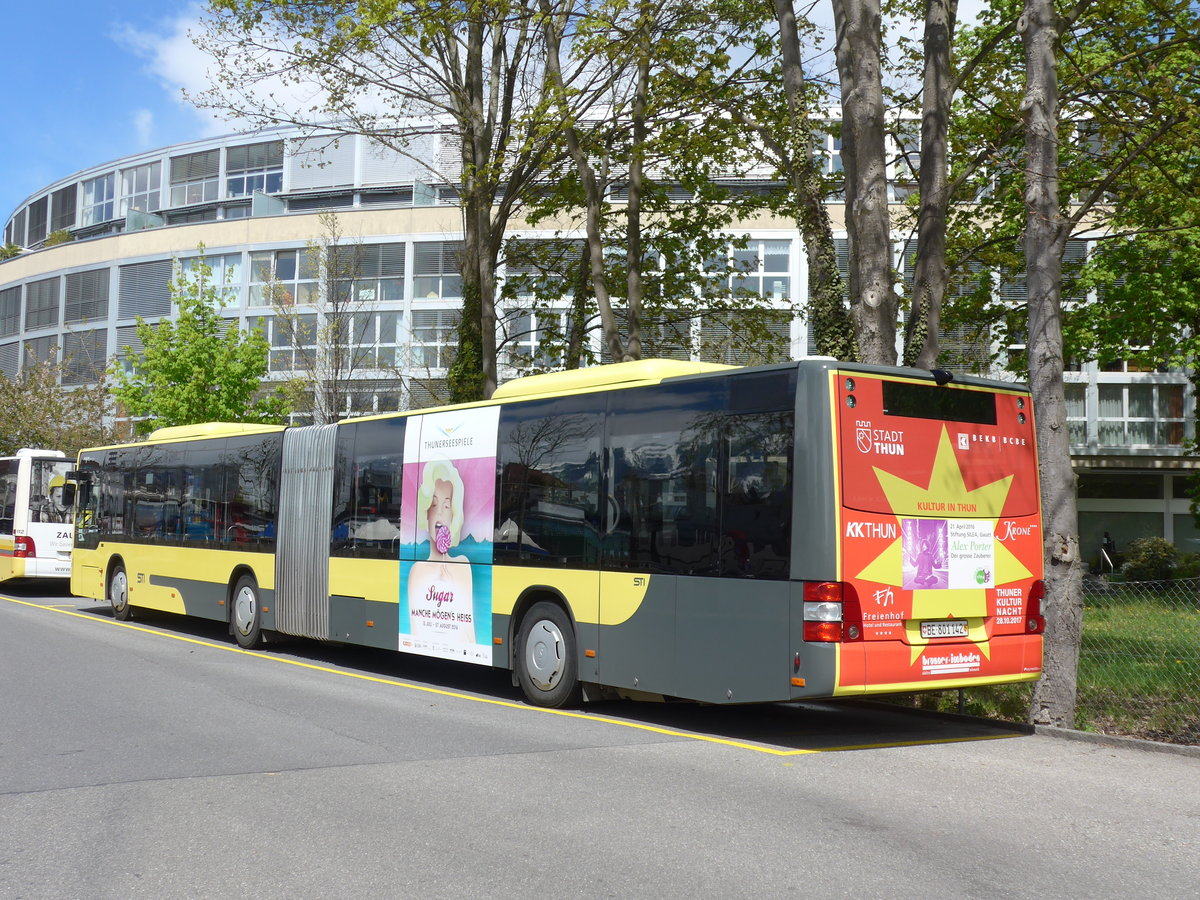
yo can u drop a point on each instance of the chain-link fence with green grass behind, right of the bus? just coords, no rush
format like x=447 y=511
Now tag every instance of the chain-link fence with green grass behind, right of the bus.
x=1139 y=662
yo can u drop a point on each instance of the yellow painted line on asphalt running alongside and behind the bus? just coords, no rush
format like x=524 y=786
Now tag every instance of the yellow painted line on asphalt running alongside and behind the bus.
x=505 y=704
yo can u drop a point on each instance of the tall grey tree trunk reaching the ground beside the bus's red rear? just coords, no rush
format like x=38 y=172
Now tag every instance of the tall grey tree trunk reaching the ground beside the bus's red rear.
x=1054 y=697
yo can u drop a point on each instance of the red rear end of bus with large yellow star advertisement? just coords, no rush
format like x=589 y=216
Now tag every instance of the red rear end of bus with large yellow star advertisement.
x=940 y=531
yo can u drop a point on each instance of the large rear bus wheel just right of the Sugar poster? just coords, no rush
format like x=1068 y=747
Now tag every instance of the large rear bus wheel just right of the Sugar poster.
x=548 y=667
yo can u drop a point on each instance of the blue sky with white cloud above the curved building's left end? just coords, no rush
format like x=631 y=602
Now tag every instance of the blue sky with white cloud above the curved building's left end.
x=89 y=81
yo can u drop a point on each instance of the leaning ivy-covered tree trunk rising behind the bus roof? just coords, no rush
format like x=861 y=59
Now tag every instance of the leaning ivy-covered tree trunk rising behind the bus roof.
x=832 y=329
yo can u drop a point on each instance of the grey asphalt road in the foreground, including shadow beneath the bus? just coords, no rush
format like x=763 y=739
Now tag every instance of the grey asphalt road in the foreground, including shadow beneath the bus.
x=157 y=760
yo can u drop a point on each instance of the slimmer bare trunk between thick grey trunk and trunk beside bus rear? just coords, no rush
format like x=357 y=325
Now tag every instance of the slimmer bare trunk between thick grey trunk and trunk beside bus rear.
x=929 y=279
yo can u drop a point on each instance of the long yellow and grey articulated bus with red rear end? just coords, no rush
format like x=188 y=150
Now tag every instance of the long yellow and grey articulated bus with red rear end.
x=644 y=530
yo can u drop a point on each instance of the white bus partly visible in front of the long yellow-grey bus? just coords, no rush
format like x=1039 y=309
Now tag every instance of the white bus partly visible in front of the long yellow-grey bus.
x=37 y=532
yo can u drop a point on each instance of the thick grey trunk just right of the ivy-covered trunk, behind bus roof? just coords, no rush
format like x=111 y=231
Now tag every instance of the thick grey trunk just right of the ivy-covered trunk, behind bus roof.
x=873 y=299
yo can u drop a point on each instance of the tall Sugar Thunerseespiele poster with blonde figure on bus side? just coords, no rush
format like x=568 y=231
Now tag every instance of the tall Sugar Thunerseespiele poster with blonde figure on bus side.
x=447 y=530
